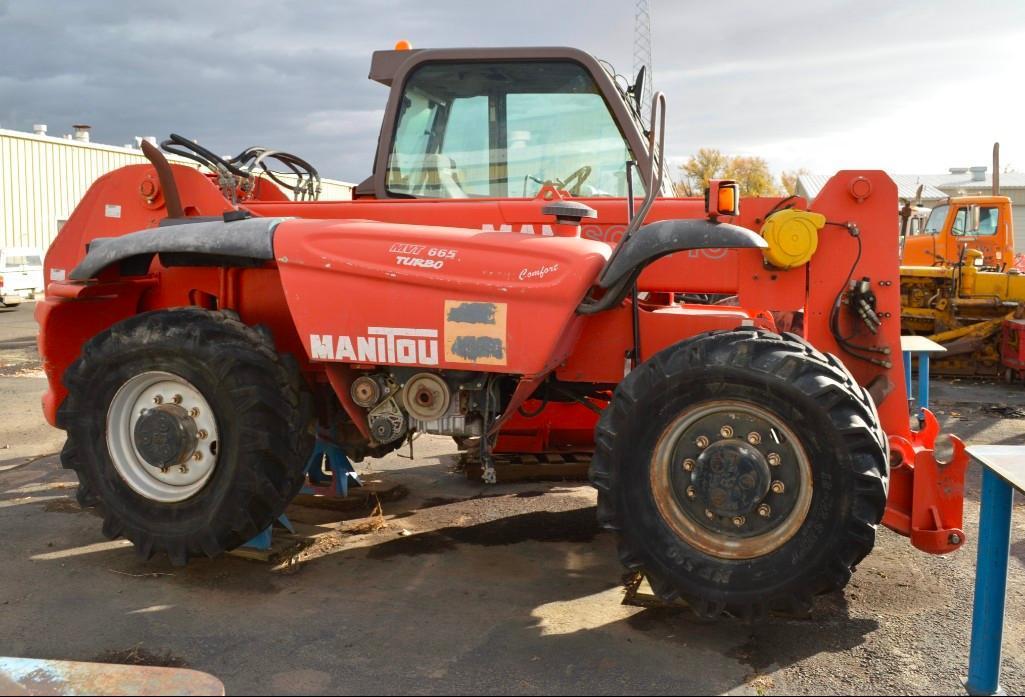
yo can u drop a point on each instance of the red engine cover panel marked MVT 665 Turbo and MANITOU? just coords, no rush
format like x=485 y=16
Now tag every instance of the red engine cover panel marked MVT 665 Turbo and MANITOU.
x=446 y=299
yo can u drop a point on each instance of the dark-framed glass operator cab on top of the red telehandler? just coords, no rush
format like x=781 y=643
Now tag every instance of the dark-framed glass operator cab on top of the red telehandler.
x=489 y=124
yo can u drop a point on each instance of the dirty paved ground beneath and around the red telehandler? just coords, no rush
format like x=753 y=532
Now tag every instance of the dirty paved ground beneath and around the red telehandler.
x=464 y=589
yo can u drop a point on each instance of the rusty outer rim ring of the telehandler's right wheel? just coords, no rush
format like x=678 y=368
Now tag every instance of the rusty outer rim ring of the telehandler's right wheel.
x=688 y=527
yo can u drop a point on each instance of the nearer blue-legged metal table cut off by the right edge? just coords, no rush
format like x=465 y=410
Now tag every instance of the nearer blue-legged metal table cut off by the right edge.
x=1004 y=471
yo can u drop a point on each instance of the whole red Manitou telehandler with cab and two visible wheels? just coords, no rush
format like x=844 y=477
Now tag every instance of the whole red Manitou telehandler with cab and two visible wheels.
x=511 y=268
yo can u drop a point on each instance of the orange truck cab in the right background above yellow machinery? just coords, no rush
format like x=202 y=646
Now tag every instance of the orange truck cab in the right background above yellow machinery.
x=981 y=223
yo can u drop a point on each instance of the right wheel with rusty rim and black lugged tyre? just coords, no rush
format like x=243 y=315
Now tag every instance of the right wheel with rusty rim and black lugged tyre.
x=745 y=472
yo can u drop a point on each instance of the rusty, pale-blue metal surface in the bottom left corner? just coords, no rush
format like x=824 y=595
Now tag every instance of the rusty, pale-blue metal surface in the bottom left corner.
x=36 y=677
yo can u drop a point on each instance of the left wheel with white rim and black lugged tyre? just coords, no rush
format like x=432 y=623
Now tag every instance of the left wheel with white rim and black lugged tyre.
x=188 y=430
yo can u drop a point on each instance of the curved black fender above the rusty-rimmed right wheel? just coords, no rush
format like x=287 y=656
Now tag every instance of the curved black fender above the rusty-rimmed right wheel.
x=657 y=240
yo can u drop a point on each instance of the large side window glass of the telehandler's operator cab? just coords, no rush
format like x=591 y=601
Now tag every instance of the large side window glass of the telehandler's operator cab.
x=505 y=130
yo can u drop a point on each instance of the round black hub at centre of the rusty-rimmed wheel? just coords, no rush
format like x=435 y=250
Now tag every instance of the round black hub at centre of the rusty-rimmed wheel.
x=731 y=478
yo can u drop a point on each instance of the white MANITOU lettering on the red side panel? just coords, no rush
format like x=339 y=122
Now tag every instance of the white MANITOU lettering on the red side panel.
x=383 y=345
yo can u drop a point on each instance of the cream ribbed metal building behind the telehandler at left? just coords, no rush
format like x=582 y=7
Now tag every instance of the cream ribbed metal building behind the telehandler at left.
x=43 y=179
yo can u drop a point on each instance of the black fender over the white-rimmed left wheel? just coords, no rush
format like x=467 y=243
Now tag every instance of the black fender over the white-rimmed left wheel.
x=245 y=241
